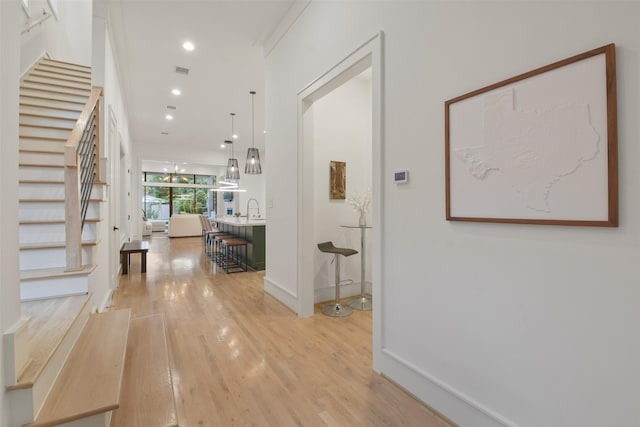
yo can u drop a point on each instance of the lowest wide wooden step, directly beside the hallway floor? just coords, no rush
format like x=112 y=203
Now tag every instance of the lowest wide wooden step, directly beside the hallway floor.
x=146 y=369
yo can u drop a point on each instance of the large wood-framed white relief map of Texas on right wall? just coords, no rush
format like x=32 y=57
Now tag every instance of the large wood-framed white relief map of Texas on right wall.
x=538 y=148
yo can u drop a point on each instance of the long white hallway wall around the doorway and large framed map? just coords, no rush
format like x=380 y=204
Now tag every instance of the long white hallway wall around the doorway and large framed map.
x=519 y=325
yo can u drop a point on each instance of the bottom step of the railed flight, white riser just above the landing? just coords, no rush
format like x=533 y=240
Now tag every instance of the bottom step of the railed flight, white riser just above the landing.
x=54 y=282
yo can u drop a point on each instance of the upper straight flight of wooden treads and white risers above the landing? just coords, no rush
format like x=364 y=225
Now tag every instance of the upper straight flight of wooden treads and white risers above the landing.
x=52 y=96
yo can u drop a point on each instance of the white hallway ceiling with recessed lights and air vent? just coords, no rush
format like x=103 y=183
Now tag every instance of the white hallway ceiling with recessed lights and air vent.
x=227 y=63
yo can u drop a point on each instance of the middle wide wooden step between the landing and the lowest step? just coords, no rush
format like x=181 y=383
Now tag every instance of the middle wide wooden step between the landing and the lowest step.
x=89 y=383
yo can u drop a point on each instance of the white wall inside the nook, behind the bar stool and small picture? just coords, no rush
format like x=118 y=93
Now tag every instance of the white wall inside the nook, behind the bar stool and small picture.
x=341 y=126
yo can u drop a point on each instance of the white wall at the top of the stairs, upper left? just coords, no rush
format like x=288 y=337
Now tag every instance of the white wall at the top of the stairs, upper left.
x=65 y=38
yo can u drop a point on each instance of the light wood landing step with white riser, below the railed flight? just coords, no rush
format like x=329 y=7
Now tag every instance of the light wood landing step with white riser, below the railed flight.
x=53 y=328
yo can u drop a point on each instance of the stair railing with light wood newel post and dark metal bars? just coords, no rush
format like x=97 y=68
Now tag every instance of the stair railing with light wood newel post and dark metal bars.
x=81 y=167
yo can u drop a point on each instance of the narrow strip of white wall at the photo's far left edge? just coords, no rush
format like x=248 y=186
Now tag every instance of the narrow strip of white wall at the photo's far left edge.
x=10 y=14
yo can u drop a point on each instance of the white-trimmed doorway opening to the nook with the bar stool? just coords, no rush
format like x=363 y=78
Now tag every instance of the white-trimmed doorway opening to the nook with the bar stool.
x=340 y=120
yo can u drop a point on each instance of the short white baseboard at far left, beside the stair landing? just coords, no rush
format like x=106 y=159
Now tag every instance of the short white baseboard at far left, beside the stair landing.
x=16 y=351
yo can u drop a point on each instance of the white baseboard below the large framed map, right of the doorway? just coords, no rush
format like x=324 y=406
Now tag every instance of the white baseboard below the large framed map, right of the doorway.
x=438 y=395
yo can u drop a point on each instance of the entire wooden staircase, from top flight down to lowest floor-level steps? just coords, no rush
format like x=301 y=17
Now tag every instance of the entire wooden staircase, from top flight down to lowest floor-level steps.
x=68 y=367
